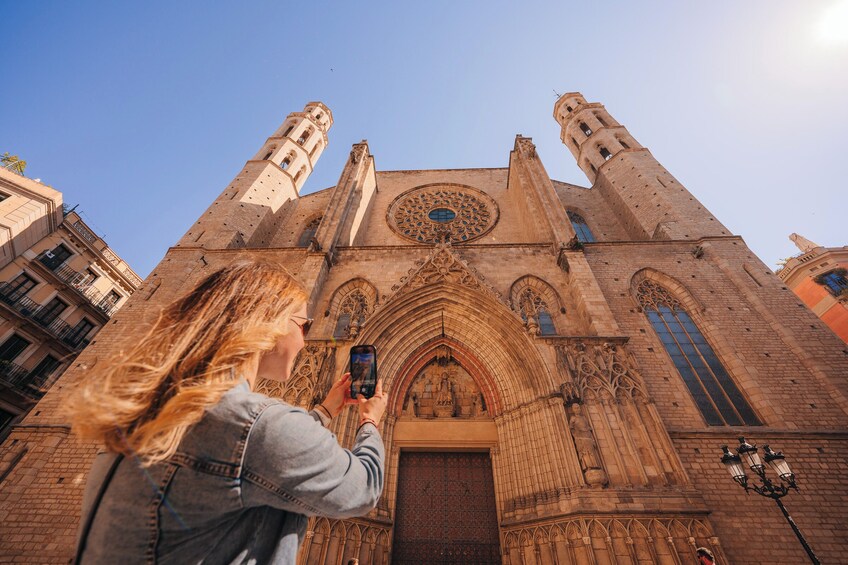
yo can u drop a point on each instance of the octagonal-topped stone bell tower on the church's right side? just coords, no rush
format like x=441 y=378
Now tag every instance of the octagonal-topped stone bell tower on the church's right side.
x=647 y=199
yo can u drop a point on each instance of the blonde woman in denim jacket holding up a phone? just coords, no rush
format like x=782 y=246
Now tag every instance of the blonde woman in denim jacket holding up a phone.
x=199 y=469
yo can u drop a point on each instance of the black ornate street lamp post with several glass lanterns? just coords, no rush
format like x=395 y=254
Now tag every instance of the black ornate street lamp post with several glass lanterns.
x=746 y=455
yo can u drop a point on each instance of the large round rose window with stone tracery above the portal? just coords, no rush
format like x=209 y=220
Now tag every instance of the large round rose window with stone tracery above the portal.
x=432 y=213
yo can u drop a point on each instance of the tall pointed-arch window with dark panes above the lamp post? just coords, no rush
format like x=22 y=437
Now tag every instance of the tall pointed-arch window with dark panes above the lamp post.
x=716 y=395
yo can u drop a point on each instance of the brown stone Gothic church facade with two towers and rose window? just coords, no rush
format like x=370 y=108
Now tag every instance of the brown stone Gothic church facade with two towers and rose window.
x=563 y=363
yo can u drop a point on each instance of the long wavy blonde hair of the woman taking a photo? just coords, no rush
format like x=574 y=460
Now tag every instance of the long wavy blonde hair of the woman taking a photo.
x=143 y=402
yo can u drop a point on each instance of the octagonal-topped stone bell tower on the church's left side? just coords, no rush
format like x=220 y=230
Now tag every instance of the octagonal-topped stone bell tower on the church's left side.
x=241 y=216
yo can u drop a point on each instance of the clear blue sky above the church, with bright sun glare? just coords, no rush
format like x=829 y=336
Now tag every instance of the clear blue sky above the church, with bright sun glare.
x=120 y=105
